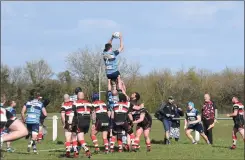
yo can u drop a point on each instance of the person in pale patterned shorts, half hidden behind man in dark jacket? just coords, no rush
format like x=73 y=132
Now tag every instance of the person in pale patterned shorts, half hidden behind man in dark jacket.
x=174 y=130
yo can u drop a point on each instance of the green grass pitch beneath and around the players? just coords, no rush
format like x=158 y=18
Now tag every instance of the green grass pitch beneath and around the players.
x=181 y=150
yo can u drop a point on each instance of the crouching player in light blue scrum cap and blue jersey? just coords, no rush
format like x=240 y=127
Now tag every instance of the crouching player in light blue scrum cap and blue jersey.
x=193 y=122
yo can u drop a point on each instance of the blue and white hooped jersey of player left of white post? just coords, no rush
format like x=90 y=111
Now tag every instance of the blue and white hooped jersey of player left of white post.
x=34 y=110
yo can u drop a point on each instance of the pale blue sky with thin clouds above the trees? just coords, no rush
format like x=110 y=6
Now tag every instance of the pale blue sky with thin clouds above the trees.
x=172 y=35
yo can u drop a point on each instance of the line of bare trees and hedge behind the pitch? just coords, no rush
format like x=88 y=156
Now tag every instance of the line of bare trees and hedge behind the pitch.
x=86 y=69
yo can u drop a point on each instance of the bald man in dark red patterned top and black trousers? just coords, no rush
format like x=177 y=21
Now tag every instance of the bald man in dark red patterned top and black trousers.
x=208 y=116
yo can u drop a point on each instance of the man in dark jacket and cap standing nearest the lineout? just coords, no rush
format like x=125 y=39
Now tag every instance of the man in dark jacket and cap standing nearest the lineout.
x=167 y=113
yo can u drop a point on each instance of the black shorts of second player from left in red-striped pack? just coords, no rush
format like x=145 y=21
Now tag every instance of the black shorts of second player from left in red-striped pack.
x=83 y=124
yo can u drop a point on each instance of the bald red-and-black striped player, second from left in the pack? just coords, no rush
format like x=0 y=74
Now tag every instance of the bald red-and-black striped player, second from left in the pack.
x=82 y=110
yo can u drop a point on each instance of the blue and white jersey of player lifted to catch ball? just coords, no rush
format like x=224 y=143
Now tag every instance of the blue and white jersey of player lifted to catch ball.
x=111 y=62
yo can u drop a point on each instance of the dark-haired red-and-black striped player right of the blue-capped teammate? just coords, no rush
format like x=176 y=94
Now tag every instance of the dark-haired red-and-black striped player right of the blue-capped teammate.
x=120 y=117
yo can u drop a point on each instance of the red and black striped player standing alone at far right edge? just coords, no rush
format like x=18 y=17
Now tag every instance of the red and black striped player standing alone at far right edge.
x=238 y=118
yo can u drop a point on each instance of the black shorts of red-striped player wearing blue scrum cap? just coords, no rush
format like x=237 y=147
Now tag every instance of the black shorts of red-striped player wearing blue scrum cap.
x=102 y=123
